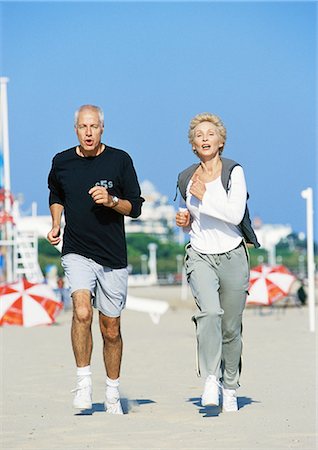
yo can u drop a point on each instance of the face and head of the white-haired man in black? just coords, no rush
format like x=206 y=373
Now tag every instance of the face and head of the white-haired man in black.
x=89 y=130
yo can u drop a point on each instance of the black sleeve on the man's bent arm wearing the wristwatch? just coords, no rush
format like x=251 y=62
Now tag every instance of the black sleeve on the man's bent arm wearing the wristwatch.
x=131 y=188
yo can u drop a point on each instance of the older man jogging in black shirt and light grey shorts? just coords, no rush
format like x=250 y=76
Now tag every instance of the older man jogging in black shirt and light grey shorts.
x=95 y=186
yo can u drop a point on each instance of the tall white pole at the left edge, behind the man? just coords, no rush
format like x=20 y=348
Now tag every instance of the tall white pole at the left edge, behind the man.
x=6 y=171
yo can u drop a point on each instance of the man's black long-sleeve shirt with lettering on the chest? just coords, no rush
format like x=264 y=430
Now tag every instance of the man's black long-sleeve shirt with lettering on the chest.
x=92 y=230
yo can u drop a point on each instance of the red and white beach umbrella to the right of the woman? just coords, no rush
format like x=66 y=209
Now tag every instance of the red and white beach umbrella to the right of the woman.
x=269 y=284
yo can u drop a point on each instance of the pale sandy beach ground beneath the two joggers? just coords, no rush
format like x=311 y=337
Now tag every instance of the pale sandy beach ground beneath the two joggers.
x=159 y=386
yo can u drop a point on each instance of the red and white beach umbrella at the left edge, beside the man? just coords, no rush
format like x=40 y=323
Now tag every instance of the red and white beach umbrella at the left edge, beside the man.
x=28 y=304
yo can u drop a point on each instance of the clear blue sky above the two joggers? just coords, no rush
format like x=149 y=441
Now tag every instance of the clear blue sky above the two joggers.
x=152 y=66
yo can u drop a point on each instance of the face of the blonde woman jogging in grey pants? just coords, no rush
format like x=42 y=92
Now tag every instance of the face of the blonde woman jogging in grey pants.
x=207 y=141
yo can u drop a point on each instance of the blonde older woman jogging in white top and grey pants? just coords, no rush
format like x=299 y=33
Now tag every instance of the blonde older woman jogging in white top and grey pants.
x=213 y=210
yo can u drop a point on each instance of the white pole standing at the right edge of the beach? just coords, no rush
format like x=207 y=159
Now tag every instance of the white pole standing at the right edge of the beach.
x=307 y=194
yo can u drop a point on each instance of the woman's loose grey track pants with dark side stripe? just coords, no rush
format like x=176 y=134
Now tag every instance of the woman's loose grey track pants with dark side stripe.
x=219 y=285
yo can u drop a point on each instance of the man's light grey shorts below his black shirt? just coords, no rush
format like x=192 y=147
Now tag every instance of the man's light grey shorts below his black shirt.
x=108 y=286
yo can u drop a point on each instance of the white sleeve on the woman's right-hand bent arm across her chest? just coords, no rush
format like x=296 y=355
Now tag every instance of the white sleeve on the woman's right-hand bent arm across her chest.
x=230 y=206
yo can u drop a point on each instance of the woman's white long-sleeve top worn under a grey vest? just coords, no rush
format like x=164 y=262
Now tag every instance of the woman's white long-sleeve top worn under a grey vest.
x=214 y=220
